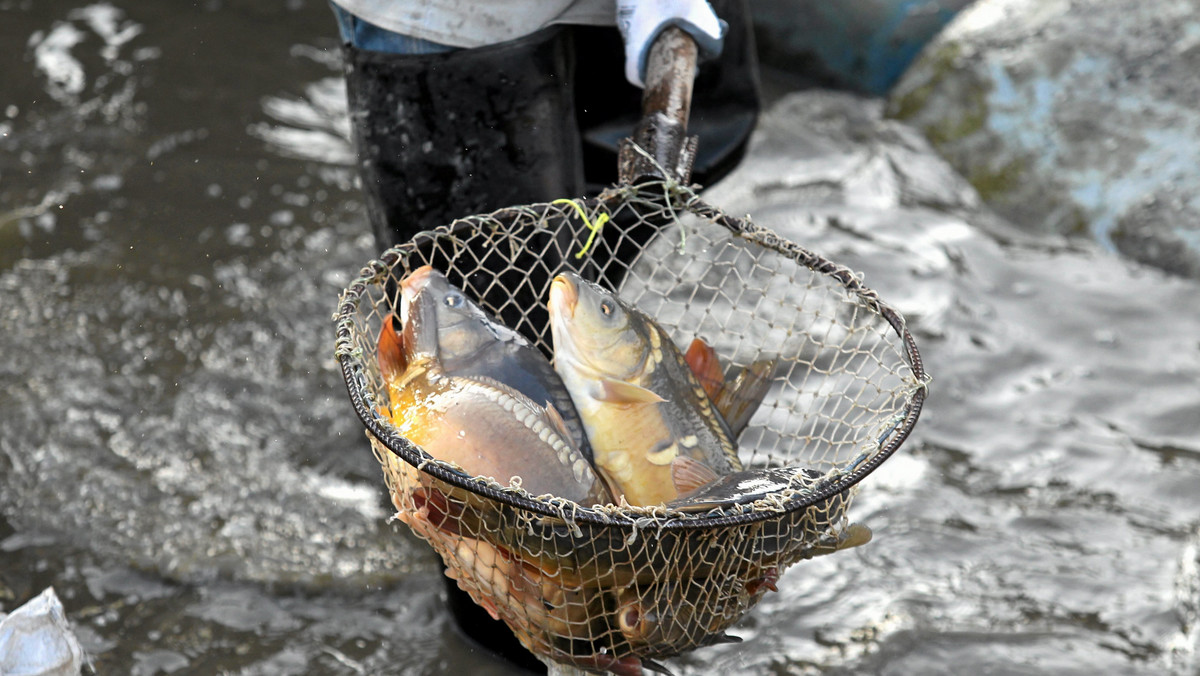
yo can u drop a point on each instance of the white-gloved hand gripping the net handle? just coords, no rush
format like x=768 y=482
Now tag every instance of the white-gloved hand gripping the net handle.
x=641 y=21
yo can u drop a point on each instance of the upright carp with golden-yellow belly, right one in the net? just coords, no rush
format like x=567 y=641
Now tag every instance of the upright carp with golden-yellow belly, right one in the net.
x=655 y=433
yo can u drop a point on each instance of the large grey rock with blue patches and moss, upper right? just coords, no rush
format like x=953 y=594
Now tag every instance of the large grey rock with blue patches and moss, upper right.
x=1072 y=117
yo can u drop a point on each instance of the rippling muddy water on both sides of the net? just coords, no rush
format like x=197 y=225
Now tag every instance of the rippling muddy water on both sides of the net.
x=179 y=459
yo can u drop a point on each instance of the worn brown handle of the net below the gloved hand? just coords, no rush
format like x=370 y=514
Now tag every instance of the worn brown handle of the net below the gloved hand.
x=667 y=106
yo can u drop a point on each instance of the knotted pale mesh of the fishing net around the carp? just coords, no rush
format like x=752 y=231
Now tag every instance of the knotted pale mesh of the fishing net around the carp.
x=613 y=588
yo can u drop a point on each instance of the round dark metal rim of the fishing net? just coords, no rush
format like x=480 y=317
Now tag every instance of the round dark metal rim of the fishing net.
x=351 y=361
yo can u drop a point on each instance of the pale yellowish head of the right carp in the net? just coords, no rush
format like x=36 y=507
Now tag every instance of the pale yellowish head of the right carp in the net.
x=595 y=332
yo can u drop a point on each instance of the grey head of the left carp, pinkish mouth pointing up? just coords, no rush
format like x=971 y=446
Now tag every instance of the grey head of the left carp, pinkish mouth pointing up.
x=464 y=330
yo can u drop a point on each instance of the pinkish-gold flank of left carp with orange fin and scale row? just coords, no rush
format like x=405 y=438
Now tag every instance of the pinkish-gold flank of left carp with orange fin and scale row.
x=477 y=423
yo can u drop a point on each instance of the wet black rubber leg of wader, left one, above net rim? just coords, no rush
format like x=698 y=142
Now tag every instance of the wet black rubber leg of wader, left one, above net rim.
x=443 y=136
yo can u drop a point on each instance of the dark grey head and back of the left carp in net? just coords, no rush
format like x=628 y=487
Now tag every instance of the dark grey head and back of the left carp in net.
x=473 y=343
